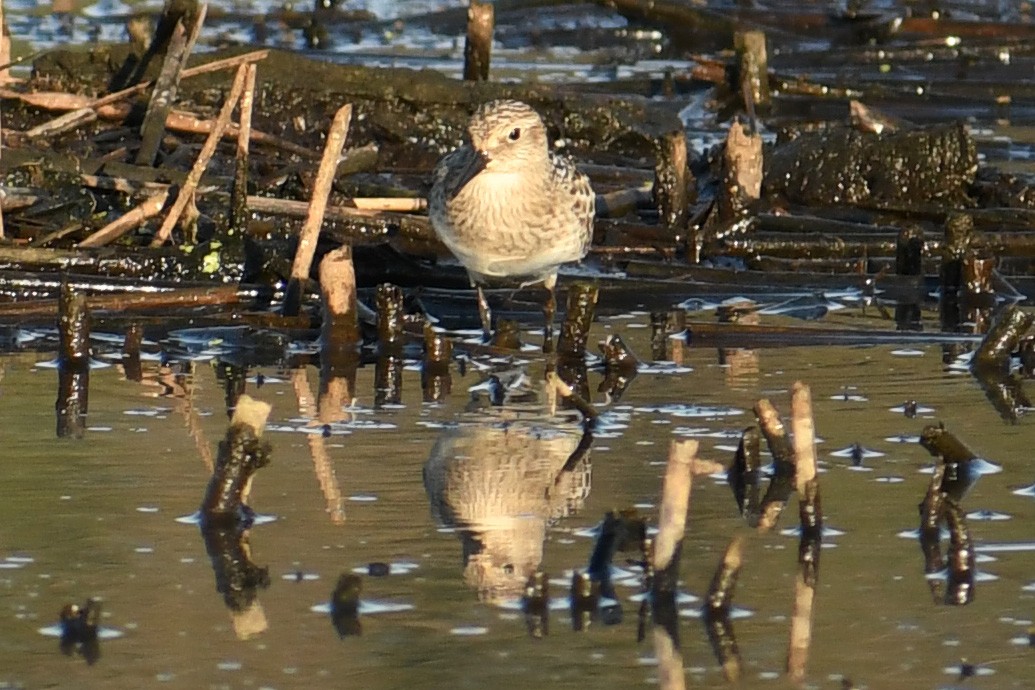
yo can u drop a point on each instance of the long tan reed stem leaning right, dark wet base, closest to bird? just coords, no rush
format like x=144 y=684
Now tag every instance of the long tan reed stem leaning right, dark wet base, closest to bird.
x=310 y=233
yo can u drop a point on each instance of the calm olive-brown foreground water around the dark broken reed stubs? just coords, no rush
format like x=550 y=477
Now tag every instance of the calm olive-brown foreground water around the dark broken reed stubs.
x=99 y=519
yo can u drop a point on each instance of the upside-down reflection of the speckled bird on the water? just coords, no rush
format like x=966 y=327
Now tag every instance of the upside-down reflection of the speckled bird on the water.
x=500 y=483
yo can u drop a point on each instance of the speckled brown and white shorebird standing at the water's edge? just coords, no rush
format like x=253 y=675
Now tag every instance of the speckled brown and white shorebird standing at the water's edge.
x=509 y=207
